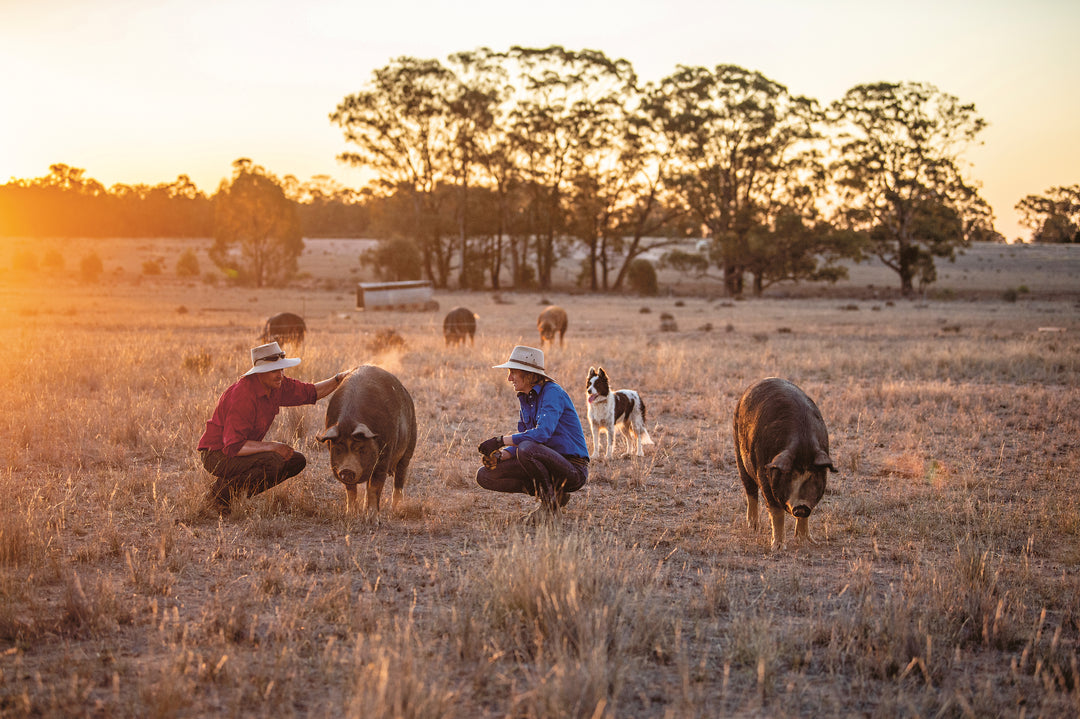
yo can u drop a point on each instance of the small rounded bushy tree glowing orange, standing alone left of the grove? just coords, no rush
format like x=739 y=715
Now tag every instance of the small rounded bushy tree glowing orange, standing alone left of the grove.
x=256 y=228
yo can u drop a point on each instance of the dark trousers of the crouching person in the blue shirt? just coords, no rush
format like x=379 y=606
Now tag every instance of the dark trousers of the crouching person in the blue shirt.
x=534 y=470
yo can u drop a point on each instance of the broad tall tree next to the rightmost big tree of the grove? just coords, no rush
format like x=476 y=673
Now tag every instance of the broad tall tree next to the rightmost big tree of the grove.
x=747 y=152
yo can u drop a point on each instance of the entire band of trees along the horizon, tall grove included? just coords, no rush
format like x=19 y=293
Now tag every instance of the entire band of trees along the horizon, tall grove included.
x=492 y=167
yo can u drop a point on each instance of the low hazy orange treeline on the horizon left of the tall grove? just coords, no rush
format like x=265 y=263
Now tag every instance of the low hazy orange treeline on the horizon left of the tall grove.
x=65 y=204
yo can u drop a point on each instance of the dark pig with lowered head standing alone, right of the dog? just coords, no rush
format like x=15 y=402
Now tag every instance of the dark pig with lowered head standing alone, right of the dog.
x=782 y=451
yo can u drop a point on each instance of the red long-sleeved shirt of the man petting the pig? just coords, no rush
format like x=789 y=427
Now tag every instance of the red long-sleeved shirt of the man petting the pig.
x=248 y=410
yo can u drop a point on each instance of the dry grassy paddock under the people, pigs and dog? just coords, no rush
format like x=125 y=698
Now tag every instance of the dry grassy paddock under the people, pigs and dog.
x=946 y=580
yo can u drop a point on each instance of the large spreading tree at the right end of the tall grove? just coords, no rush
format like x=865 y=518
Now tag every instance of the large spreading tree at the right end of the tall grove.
x=899 y=174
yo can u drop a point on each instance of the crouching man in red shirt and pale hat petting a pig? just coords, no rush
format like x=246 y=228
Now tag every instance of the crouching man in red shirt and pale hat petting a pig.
x=233 y=449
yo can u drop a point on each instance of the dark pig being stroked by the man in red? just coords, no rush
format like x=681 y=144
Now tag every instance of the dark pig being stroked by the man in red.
x=371 y=427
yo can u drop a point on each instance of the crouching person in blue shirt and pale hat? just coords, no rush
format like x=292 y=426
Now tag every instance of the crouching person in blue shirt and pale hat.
x=547 y=457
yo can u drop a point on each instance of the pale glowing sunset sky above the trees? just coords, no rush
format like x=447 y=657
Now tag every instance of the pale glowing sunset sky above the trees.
x=144 y=91
